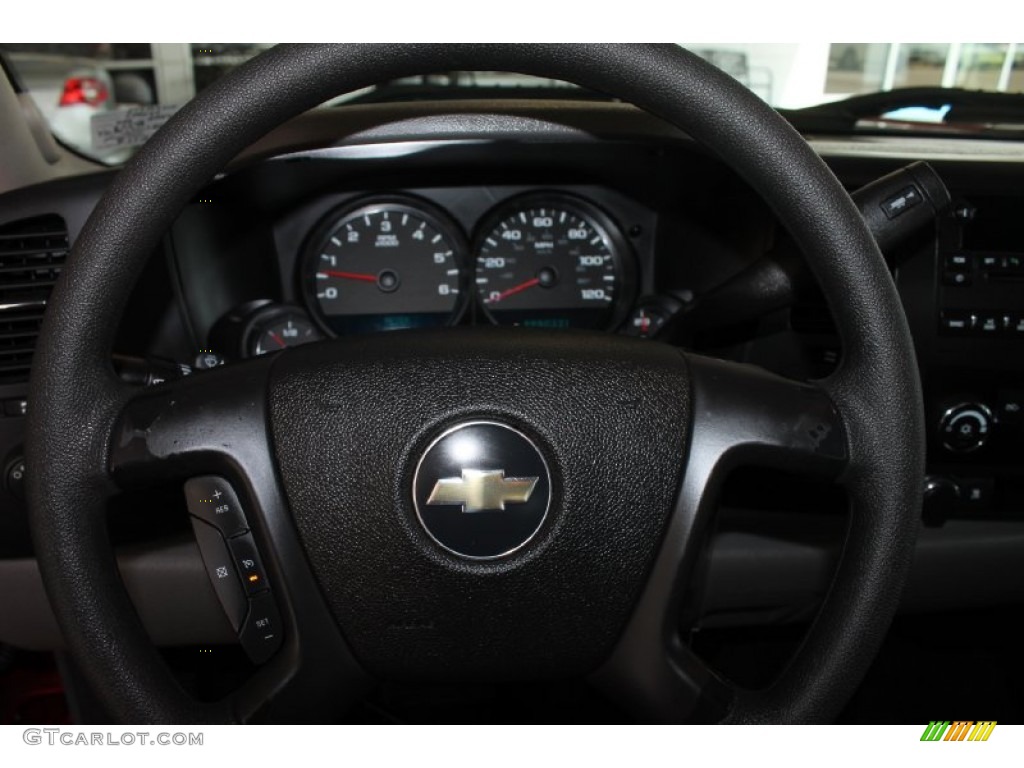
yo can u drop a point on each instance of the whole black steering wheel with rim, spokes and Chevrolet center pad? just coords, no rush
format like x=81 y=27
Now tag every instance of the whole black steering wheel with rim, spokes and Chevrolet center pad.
x=336 y=451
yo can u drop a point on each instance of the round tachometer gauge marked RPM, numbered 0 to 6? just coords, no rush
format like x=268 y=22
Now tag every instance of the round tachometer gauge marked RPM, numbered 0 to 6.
x=382 y=266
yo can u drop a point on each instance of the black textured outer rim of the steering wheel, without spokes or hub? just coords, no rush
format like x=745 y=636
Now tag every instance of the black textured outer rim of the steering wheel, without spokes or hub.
x=77 y=399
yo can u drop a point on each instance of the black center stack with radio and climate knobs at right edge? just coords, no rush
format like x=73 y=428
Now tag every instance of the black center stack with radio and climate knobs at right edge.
x=966 y=306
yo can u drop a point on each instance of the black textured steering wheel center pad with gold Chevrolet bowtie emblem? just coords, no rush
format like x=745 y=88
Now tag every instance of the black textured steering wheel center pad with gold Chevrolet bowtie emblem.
x=471 y=499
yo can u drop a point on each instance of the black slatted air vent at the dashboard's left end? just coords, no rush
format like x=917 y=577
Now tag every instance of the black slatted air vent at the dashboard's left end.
x=32 y=254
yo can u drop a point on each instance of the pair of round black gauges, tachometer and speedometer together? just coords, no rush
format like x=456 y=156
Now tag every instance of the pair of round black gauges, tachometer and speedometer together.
x=545 y=261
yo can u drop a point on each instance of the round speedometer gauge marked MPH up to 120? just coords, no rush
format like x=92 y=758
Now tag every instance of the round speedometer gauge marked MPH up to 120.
x=552 y=262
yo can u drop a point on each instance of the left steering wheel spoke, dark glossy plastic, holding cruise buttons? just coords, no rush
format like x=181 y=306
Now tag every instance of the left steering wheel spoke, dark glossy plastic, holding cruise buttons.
x=210 y=433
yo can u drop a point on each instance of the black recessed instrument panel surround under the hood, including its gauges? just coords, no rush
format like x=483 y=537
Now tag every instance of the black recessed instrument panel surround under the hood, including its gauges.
x=539 y=236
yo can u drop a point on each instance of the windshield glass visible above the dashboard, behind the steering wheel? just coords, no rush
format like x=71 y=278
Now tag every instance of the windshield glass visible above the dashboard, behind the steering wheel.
x=105 y=100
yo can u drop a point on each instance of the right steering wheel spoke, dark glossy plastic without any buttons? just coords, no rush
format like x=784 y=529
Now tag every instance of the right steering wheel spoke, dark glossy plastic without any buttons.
x=742 y=415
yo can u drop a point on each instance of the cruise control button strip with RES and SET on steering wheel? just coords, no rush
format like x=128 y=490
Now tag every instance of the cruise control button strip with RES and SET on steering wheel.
x=234 y=565
